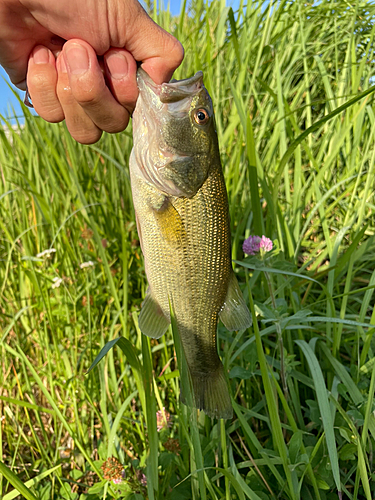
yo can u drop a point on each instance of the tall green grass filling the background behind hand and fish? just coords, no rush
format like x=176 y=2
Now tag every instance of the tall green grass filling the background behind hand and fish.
x=292 y=87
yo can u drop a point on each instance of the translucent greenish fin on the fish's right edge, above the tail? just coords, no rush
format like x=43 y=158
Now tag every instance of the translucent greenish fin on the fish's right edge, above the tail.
x=235 y=314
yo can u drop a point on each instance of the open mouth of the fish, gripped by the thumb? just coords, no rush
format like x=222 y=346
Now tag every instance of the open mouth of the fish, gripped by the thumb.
x=174 y=91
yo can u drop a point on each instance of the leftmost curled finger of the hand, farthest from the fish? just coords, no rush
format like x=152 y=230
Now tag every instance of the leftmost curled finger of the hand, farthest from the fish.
x=41 y=84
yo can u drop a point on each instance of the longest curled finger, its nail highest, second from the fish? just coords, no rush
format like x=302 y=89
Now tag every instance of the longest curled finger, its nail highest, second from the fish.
x=89 y=89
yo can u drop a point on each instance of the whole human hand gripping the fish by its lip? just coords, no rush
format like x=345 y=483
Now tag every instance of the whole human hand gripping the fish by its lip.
x=68 y=80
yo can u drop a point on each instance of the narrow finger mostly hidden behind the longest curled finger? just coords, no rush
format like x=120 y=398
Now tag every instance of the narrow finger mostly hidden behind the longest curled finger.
x=79 y=124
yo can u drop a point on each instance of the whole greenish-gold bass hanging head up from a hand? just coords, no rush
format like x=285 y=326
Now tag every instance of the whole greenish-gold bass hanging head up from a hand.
x=182 y=216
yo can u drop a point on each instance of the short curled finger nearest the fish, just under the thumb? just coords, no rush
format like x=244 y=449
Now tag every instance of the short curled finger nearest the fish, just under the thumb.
x=120 y=70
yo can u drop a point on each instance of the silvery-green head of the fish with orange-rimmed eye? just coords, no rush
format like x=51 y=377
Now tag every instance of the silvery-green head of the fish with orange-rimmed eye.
x=174 y=133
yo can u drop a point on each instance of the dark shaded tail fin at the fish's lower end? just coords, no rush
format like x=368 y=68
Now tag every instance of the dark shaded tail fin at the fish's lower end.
x=211 y=393
